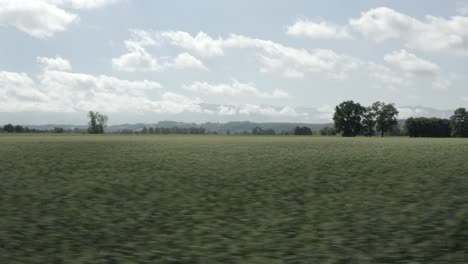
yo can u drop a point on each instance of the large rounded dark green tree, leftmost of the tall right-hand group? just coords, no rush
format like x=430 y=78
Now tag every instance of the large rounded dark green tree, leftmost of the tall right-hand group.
x=348 y=117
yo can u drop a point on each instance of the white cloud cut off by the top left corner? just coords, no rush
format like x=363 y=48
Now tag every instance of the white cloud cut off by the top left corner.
x=36 y=18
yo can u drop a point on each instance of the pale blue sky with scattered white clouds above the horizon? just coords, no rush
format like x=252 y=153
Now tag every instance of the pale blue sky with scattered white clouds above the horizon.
x=207 y=60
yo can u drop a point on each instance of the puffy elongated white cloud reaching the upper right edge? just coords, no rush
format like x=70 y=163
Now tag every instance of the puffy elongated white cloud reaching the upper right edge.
x=432 y=34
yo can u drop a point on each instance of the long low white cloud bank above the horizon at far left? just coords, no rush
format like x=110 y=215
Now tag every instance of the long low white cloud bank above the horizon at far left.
x=63 y=91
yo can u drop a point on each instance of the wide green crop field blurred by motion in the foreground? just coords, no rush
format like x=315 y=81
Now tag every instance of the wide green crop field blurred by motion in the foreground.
x=232 y=199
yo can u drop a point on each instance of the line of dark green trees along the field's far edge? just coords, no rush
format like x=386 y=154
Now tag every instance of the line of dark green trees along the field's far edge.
x=350 y=119
